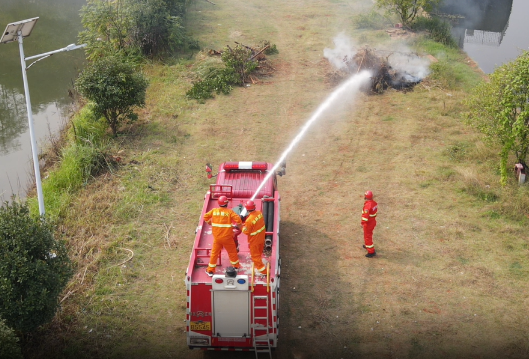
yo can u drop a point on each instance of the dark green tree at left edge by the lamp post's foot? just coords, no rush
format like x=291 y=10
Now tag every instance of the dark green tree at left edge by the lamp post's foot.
x=34 y=268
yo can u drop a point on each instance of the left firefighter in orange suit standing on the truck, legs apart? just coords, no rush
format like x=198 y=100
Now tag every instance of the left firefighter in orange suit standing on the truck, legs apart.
x=222 y=221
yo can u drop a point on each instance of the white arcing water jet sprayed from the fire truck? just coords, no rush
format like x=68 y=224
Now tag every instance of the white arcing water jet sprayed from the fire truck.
x=353 y=84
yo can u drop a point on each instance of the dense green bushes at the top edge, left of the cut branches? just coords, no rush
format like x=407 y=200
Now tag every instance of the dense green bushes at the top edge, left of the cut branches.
x=134 y=27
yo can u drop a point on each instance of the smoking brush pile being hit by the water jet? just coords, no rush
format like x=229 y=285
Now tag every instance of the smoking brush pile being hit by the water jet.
x=384 y=75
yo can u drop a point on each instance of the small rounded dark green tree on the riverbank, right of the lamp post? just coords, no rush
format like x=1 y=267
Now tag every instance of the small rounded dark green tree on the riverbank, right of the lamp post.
x=115 y=87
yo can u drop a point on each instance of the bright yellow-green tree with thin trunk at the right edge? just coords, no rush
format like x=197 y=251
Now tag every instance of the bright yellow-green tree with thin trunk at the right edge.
x=500 y=110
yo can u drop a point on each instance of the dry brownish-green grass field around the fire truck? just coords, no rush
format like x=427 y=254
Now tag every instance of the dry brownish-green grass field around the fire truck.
x=450 y=278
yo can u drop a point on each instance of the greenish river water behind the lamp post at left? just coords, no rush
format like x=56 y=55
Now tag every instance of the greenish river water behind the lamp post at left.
x=49 y=81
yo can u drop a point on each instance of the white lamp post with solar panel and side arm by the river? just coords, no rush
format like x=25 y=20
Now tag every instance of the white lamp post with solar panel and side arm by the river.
x=18 y=31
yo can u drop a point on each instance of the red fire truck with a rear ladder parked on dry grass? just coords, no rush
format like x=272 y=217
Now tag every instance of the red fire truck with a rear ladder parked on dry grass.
x=237 y=312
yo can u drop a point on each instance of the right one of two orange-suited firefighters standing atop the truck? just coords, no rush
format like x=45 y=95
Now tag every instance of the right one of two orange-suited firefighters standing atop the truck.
x=254 y=228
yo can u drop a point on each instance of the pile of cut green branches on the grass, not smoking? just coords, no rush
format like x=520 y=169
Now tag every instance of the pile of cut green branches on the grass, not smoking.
x=242 y=64
